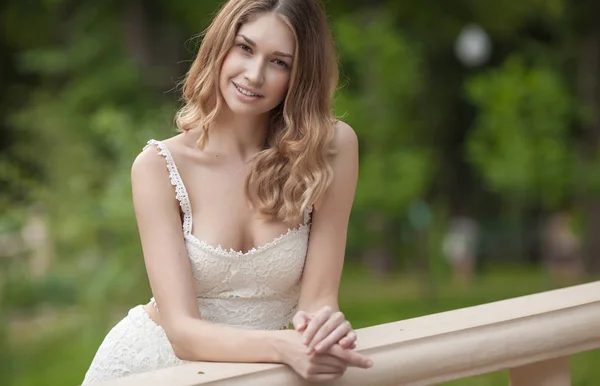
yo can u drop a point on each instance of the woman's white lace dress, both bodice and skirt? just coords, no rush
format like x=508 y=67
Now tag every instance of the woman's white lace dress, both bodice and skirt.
x=258 y=289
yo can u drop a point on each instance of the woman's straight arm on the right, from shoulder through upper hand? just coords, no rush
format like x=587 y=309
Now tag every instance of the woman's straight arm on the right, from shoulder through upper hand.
x=325 y=258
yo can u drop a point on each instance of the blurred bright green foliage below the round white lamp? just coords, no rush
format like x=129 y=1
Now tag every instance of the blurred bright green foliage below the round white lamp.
x=521 y=143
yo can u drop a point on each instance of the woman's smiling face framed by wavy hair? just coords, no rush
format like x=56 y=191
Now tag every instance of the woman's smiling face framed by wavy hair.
x=255 y=74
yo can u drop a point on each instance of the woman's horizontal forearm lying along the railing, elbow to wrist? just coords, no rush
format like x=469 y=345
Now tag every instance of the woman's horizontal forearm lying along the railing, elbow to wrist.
x=198 y=340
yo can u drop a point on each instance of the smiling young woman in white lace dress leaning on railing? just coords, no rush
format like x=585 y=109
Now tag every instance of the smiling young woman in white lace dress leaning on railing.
x=243 y=215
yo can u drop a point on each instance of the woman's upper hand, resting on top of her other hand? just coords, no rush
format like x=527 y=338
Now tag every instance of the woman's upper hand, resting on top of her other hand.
x=323 y=329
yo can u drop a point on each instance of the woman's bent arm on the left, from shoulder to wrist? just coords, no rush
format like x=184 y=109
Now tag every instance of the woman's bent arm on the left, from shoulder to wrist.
x=171 y=280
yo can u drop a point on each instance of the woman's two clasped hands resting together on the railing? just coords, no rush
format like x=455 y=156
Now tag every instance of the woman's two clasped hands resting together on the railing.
x=326 y=340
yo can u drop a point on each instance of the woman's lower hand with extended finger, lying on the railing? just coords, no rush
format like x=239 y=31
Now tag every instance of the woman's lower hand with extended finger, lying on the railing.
x=316 y=367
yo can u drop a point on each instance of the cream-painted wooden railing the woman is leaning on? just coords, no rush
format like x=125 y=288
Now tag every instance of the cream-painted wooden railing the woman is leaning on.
x=532 y=336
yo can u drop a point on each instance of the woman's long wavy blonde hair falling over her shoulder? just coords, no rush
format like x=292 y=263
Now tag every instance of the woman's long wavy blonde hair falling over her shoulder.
x=292 y=172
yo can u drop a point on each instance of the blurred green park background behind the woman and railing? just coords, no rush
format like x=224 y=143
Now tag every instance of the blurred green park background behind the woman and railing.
x=479 y=128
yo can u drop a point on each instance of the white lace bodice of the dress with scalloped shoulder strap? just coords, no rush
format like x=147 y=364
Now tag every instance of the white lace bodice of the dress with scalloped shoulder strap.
x=257 y=289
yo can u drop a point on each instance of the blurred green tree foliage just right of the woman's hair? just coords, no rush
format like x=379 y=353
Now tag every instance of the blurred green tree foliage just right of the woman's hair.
x=380 y=100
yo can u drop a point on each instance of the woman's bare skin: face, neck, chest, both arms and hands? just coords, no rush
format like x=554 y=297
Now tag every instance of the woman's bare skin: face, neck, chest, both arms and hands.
x=320 y=347
